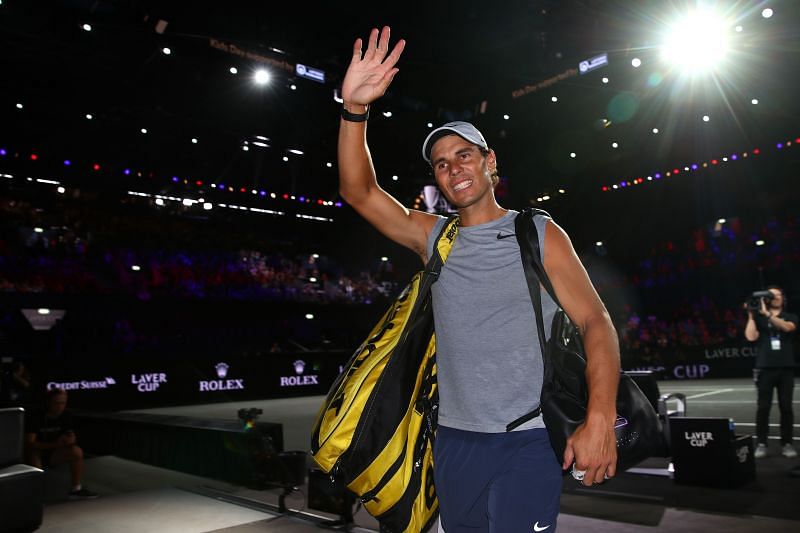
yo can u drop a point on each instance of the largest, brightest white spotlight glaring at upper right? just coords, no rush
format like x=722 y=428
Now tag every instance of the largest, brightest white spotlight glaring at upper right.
x=697 y=42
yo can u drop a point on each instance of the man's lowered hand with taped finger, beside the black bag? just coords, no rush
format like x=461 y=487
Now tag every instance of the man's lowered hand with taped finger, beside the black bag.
x=593 y=449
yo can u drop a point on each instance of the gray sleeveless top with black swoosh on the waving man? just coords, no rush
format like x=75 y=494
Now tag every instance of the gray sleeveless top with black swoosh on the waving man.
x=489 y=363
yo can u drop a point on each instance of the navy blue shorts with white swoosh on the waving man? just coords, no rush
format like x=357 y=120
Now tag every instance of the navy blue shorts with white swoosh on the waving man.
x=496 y=482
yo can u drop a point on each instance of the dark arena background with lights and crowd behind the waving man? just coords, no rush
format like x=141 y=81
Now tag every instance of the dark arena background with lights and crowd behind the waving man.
x=173 y=248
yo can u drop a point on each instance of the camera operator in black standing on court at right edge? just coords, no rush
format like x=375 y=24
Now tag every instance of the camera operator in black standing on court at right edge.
x=773 y=328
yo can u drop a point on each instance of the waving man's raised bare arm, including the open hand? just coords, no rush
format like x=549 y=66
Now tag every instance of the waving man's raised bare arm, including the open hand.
x=366 y=80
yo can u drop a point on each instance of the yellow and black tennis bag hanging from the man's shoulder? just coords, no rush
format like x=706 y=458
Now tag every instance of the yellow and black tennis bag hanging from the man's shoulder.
x=377 y=425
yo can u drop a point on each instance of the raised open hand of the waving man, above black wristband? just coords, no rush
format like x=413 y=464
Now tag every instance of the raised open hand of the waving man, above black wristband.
x=370 y=74
